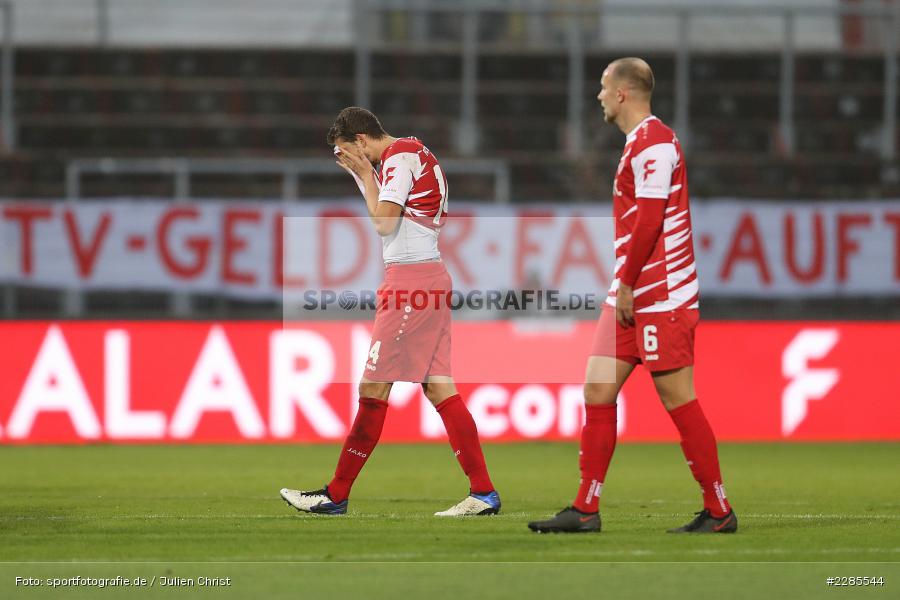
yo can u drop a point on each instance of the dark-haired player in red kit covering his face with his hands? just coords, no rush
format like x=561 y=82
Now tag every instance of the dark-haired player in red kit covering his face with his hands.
x=406 y=198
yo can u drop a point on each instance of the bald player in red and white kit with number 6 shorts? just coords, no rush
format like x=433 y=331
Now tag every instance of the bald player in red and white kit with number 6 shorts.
x=651 y=310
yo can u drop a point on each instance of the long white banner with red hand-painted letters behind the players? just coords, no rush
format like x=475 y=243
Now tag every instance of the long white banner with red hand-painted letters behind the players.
x=242 y=249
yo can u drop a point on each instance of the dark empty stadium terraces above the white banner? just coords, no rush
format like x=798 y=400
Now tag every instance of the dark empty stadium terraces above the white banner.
x=95 y=102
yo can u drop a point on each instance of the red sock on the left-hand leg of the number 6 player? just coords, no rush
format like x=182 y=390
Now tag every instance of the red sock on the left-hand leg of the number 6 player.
x=598 y=441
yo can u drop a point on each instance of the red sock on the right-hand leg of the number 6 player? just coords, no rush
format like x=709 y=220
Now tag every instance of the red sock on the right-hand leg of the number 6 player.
x=699 y=446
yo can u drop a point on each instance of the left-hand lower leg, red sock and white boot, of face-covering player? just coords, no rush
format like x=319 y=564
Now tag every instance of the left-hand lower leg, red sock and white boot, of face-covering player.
x=358 y=446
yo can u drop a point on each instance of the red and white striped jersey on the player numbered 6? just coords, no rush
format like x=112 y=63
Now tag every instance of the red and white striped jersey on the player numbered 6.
x=652 y=166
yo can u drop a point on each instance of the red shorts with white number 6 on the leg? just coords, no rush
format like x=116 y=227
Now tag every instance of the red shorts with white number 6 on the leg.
x=662 y=341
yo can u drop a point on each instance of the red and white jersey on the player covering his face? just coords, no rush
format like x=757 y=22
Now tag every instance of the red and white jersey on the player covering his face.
x=409 y=175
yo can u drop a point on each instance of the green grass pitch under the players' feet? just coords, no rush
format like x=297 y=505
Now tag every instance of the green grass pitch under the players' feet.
x=807 y=512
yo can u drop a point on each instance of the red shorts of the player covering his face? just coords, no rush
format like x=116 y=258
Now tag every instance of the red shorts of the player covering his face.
x=411 y=338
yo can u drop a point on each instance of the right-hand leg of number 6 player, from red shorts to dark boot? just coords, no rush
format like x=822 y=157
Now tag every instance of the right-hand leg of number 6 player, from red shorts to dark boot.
x=673 y=377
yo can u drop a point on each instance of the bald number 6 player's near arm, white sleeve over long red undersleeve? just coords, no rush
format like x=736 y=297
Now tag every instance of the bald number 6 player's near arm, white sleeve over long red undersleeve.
x=653 y=177
